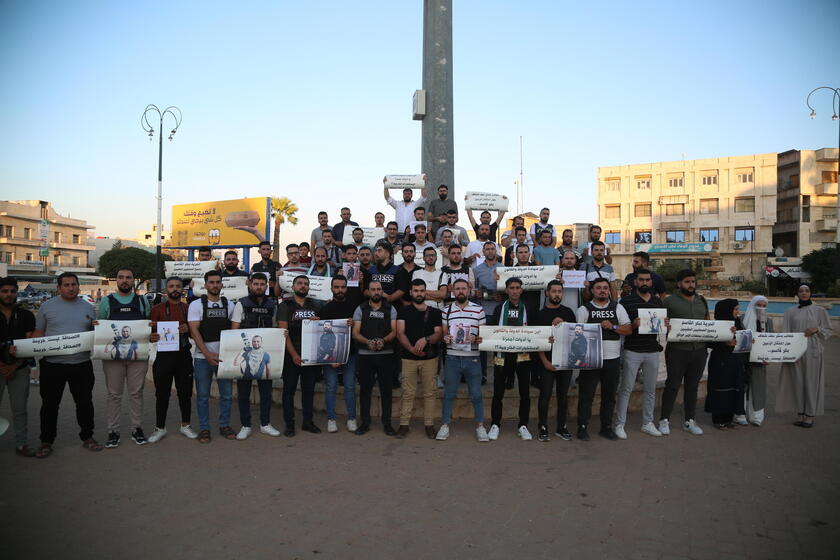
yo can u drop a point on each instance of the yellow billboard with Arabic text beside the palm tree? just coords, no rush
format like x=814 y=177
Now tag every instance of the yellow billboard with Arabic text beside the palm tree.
x=223 y=223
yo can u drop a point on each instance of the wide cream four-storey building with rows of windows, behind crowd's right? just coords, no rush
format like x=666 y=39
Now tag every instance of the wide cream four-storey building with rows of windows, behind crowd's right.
x=692 y=209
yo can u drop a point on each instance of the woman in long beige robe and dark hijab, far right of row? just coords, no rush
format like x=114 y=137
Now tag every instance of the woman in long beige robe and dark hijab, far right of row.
x=802 y=383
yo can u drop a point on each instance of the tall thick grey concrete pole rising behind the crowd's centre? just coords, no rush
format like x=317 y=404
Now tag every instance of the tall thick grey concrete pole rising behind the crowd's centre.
x=438 y=156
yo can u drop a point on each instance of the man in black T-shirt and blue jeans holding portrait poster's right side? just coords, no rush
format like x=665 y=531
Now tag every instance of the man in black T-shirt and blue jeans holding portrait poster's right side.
x=340 y=307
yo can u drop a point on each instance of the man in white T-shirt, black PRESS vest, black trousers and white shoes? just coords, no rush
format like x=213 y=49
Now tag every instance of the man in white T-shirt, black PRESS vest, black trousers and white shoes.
x=614 y=323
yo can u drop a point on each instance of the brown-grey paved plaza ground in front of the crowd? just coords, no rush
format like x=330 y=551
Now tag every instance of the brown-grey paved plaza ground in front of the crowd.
x=769 y=492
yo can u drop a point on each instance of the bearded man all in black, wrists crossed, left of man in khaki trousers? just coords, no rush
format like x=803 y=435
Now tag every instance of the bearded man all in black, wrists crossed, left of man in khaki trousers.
x=374 y=330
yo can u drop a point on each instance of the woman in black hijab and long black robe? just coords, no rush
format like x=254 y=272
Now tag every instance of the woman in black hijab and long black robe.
x=725 y=396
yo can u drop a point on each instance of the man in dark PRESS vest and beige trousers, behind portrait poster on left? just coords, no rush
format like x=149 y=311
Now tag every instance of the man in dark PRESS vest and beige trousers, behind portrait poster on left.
x=127 y=374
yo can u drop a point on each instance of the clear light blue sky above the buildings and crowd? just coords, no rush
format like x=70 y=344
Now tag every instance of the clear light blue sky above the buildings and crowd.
x=312 y=100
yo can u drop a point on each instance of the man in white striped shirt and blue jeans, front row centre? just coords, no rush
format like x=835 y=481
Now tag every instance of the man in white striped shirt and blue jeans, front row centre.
x=462 y=316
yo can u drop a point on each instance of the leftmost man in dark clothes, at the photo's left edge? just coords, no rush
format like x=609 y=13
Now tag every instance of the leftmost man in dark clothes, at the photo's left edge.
x=15 y=323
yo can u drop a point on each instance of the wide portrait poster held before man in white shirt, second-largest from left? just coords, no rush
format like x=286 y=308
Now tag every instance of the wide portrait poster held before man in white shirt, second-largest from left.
x=252 y=353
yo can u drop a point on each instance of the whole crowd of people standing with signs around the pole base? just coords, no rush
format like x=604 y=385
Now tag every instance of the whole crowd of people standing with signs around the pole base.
x=416 y=322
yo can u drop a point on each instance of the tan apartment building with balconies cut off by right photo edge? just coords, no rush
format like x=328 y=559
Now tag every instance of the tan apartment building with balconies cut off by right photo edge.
x=806 y=207
